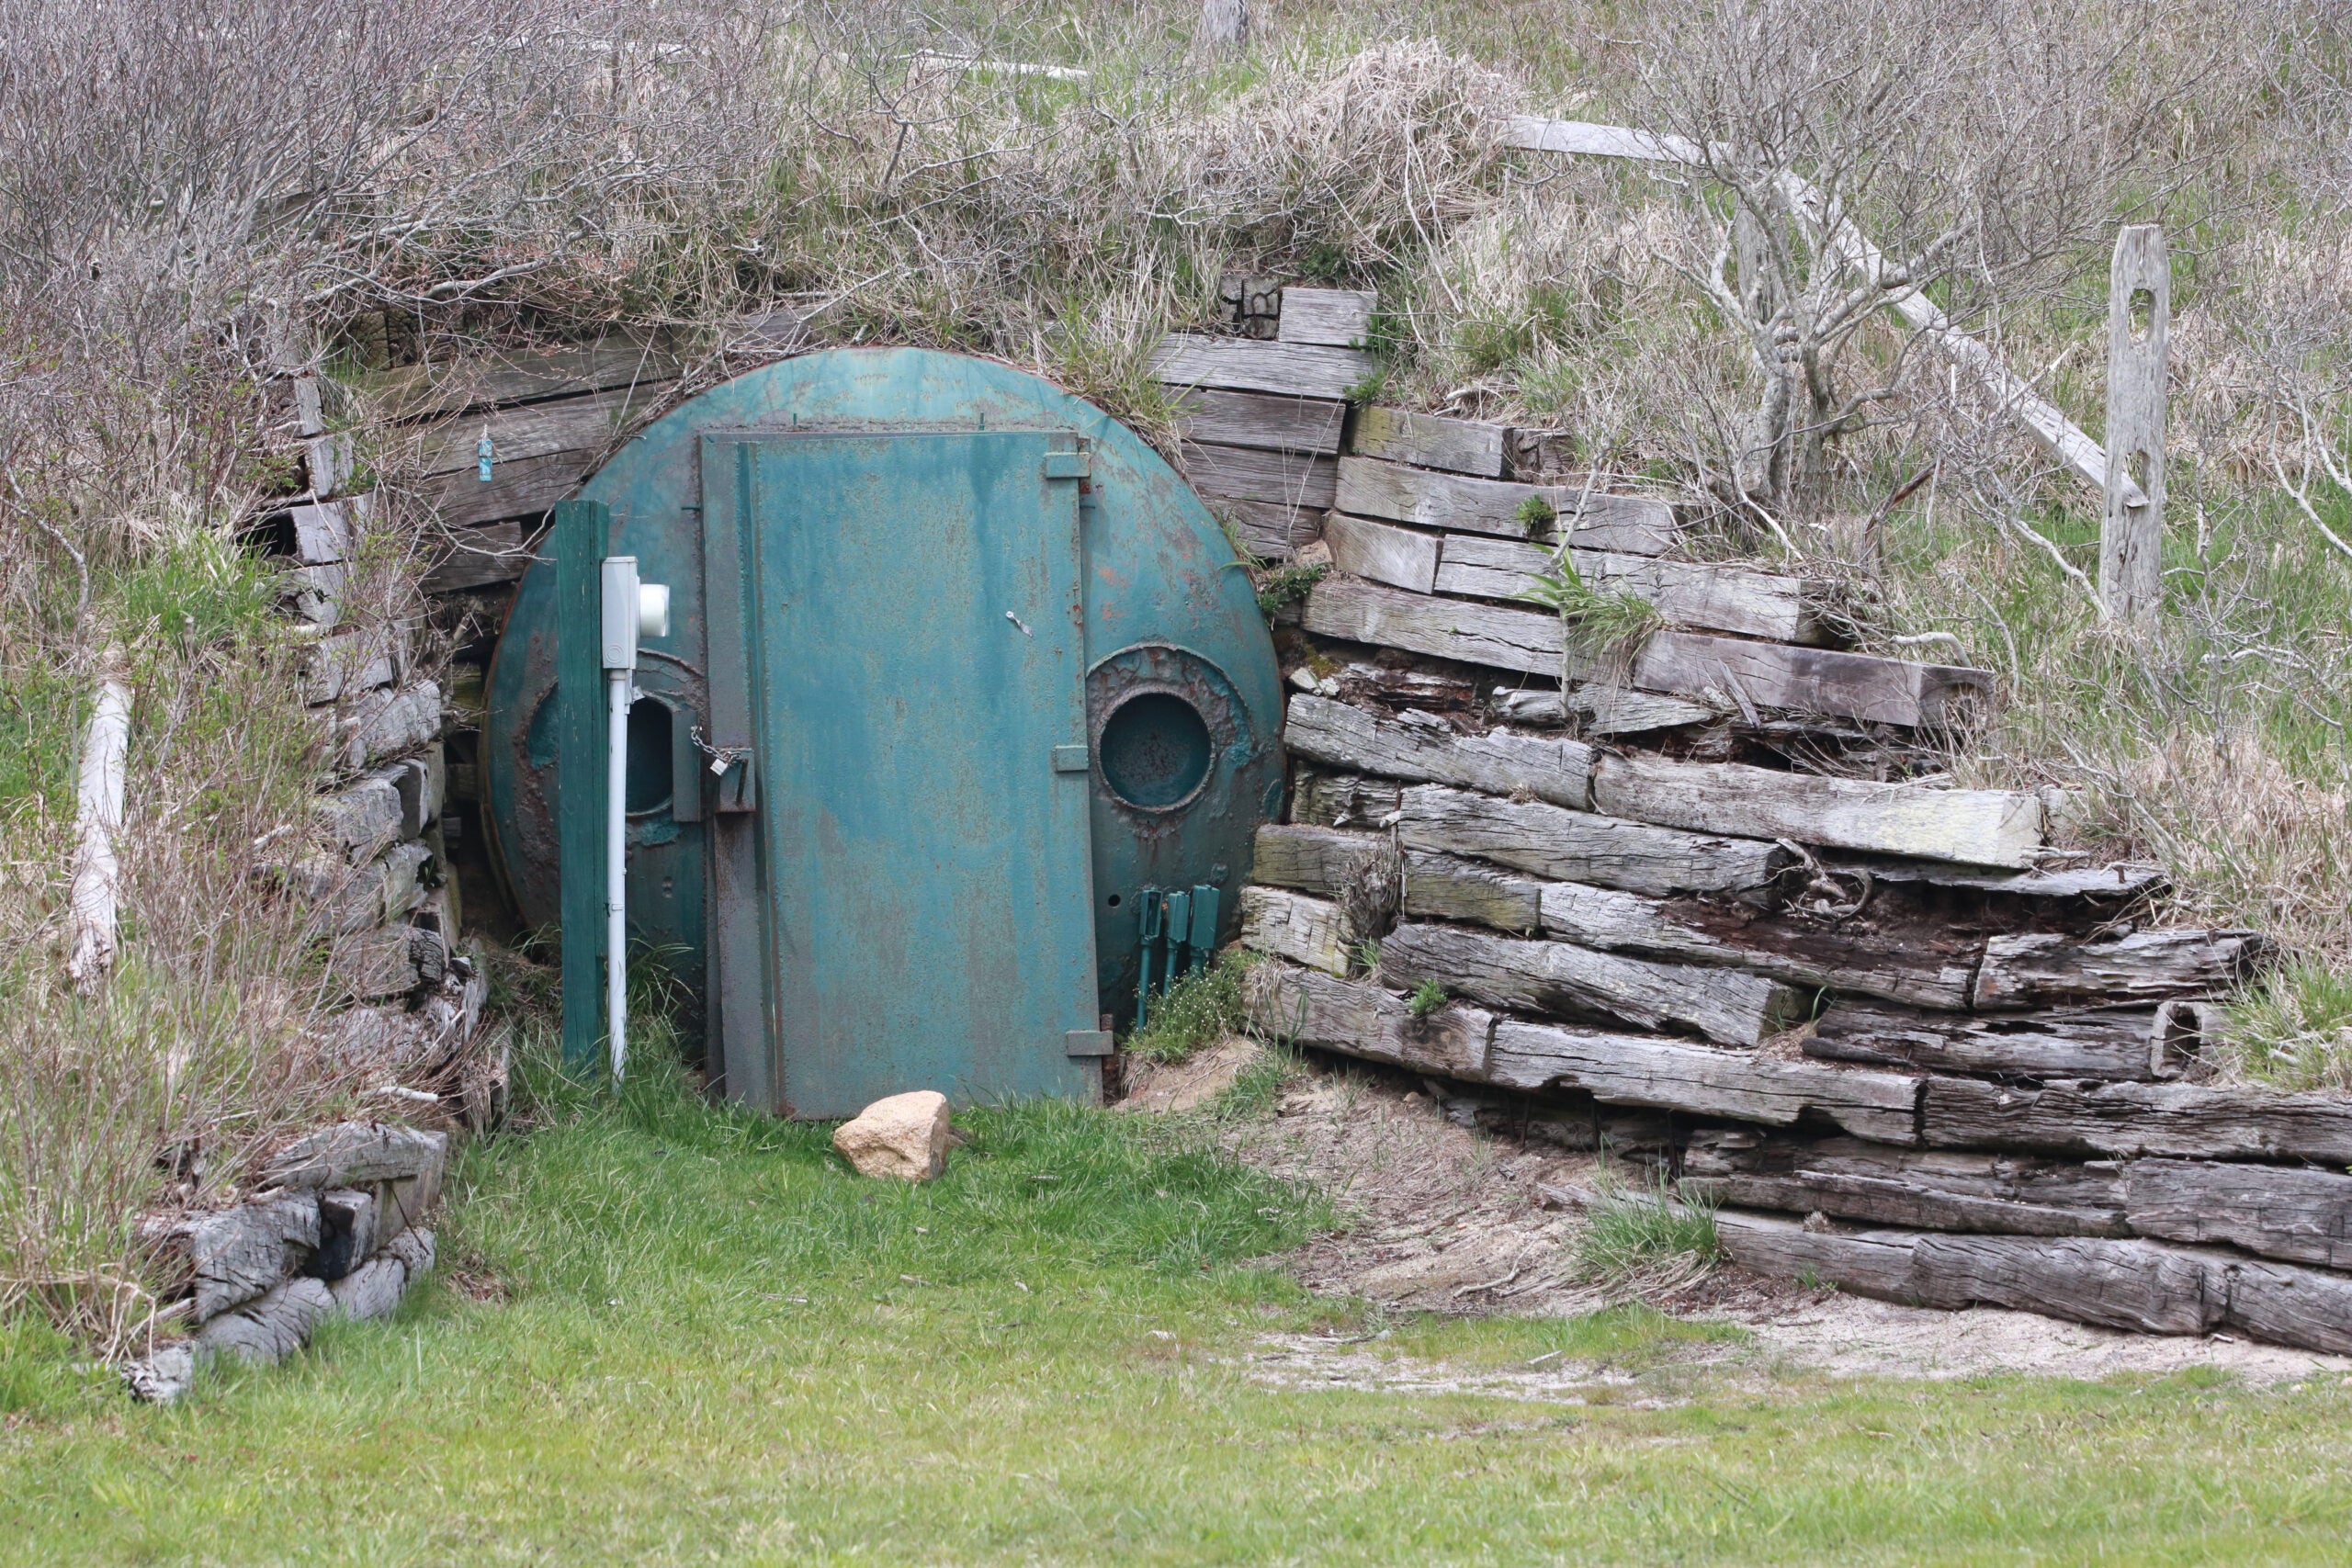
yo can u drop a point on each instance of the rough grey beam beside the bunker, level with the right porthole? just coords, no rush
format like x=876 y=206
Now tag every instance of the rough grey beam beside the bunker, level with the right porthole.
x=1426 y=749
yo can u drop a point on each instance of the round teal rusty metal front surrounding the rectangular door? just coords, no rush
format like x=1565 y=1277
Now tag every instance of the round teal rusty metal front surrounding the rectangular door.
x=1165 y=601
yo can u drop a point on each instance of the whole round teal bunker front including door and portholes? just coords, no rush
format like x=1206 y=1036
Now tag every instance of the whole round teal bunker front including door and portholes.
x=958 y=669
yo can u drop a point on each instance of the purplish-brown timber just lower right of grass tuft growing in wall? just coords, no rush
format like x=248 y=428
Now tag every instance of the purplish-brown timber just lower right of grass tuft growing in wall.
x=1805 y=681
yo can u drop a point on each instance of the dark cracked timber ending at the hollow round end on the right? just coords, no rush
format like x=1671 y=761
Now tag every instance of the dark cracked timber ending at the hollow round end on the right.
x=2116 y=1045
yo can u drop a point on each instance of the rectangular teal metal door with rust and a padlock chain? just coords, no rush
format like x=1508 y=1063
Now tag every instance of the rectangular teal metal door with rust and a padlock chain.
x=914 y=666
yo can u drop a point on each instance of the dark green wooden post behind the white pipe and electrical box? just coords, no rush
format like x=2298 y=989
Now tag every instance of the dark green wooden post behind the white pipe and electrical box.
x=582 y=532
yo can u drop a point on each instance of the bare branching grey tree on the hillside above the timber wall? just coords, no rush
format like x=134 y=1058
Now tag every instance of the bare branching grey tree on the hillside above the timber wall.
x=1847 y=154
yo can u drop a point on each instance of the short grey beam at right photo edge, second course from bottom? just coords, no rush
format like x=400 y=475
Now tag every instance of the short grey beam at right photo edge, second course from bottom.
x=2278 y=1212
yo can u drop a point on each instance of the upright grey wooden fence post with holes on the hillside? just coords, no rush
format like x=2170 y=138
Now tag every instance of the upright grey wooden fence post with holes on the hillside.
x=2132 y=535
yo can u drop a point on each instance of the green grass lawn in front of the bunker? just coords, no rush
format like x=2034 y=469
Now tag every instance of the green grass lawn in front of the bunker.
x=721 y=1346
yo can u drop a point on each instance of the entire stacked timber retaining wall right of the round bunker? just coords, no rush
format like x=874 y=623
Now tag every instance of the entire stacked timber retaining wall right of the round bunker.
x=1716 y=909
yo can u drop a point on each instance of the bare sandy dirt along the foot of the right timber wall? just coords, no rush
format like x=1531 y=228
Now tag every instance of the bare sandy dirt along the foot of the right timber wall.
x=1452 y=1219
